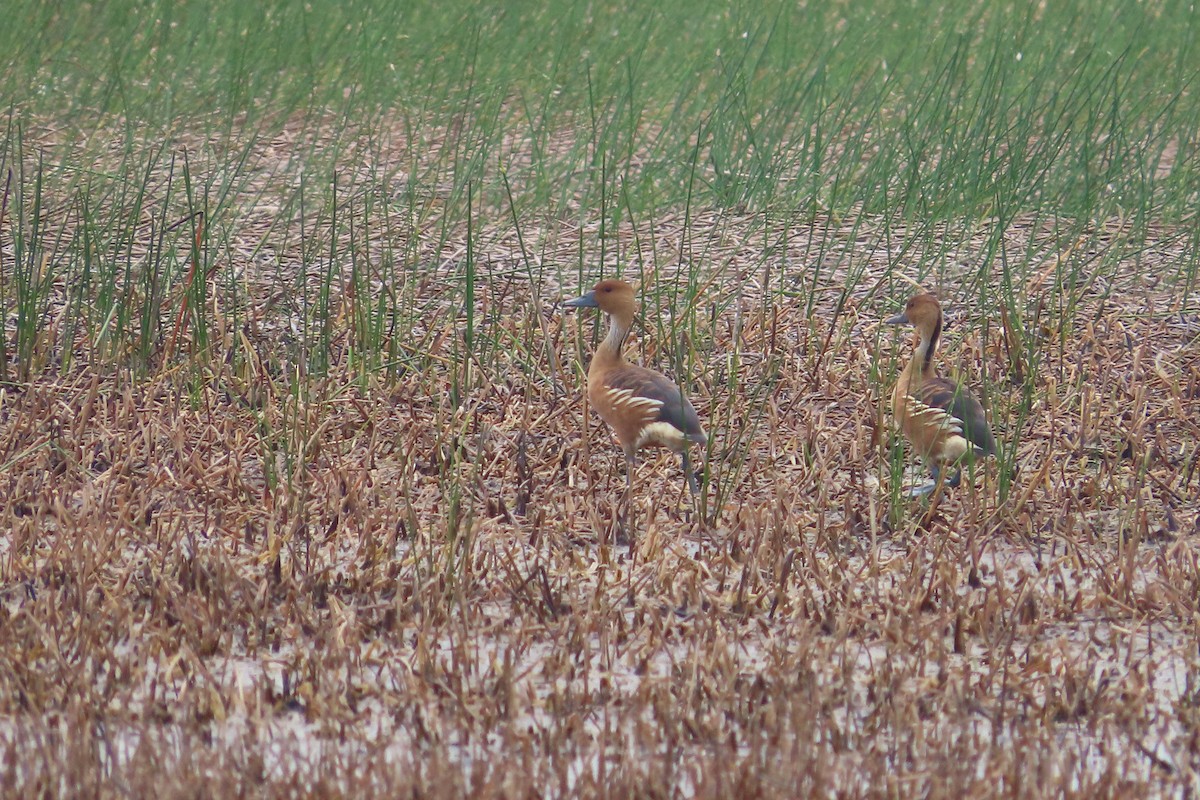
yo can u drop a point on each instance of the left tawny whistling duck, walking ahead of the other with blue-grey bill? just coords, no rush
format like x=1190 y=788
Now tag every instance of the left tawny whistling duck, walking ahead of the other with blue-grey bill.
x=643 y=407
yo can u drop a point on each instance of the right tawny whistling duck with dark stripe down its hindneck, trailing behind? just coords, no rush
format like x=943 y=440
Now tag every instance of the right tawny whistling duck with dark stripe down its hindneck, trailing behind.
x=939 y=418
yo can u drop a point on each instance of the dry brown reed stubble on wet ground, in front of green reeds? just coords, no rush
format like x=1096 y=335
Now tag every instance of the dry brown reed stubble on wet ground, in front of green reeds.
x=229 y=579
